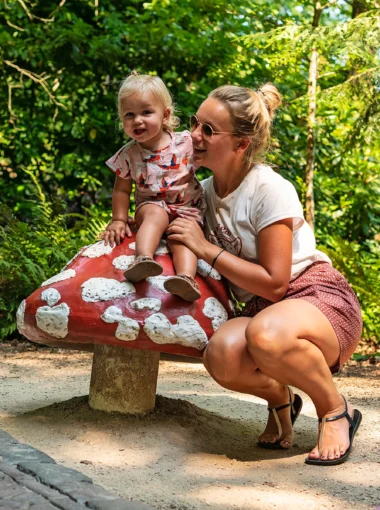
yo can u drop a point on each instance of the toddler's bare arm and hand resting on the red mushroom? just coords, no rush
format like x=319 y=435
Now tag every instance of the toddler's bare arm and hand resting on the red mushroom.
x=118 y=227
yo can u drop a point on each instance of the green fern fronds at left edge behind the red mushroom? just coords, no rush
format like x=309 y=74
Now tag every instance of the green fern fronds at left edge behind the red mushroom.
x=32 y=252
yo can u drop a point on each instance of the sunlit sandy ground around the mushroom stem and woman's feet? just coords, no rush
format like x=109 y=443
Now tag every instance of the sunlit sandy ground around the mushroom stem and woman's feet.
x=197 y=450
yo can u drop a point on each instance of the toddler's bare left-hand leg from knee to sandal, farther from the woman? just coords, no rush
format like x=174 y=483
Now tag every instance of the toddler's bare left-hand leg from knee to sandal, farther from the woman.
x=152 y=221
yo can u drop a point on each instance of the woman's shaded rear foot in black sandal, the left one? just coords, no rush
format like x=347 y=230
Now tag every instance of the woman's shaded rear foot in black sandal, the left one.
x=271 y=432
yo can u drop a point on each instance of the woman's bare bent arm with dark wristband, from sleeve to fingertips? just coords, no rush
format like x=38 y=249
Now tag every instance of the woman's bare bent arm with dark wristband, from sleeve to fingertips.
x=268 y=279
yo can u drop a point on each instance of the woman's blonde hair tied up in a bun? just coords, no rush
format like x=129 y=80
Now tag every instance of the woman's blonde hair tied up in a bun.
x=252 y=112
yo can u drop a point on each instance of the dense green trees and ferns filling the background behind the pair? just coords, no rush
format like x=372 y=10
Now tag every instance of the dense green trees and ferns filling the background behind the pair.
x=61 y=65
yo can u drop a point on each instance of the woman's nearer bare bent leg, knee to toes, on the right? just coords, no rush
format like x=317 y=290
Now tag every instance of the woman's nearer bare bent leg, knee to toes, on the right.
x=295 y=343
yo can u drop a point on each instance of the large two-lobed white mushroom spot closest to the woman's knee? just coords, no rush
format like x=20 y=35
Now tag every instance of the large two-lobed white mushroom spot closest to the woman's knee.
x=186 y=332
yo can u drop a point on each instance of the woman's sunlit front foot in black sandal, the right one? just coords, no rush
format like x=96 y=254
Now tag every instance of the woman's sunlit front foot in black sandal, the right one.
x=335 y=439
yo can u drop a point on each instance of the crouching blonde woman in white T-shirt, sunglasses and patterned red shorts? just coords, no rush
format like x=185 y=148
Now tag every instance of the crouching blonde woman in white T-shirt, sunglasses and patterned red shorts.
x=301 y=320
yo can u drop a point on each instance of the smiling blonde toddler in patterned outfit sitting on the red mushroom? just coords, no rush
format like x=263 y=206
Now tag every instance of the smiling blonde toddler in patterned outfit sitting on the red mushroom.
x=158 y=160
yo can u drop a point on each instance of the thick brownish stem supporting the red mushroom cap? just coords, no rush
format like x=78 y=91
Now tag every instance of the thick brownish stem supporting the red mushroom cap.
x=123 y=380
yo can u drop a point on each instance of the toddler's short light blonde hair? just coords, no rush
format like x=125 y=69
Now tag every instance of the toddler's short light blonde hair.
x=145 y=83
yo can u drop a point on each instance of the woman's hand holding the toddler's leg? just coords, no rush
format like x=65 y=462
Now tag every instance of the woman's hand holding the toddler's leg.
x=189 y=233
